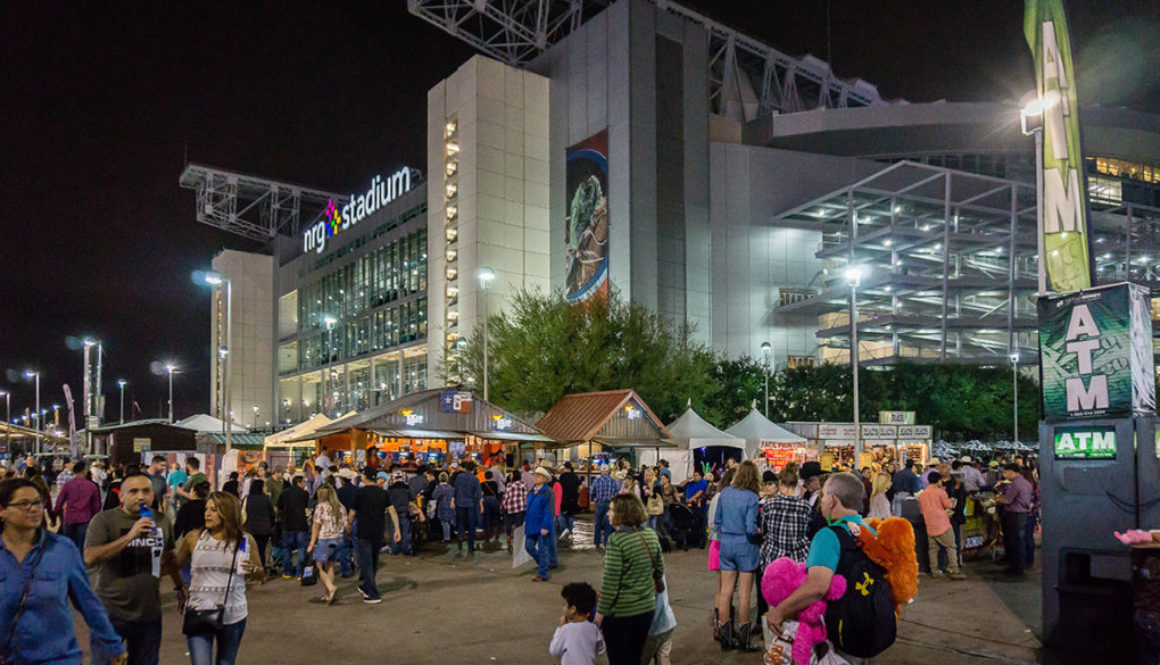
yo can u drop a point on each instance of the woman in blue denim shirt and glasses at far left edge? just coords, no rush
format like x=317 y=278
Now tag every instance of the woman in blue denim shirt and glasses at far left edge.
x=43 y=633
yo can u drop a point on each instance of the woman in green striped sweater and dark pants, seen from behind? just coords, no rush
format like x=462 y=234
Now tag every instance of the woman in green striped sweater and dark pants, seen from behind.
x=628 y=595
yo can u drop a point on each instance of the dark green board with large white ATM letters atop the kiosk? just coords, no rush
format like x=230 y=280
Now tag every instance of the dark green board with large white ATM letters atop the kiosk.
x=1096 y=351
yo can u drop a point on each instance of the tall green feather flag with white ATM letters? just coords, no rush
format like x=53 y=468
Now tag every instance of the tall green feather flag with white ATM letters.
x=1064 y=223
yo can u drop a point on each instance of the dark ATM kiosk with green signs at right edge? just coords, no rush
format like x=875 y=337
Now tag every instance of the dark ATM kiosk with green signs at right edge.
x=1099 y=471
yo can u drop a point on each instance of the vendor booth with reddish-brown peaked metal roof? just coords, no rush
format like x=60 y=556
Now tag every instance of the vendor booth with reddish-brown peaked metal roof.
x=596 y=428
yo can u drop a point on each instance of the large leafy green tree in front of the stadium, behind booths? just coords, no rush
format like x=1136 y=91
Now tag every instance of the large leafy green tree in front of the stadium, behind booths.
x=543 y=349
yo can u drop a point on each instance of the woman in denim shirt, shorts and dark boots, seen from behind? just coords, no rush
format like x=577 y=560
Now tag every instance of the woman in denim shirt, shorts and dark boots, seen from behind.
x=741 y=555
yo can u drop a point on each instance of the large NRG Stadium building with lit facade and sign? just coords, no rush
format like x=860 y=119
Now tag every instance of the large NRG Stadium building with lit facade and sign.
x=641 y=147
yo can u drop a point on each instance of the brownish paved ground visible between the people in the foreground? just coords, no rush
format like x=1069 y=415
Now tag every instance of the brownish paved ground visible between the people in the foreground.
x=445 y=608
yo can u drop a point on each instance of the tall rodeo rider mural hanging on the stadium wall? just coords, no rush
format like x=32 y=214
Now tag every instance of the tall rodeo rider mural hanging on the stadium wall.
x=586 y=235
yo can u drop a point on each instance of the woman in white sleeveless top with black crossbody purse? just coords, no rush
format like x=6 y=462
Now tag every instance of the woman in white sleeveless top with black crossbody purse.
x=223 y=560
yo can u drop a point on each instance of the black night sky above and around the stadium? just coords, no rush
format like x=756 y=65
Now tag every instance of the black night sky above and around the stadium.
x=104 y=103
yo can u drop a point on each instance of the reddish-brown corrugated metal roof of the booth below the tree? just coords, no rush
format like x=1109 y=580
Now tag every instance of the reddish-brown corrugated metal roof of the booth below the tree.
x=591 y=416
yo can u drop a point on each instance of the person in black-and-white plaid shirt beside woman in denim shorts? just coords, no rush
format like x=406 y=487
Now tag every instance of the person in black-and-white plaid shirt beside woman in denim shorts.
x=785 y=524
